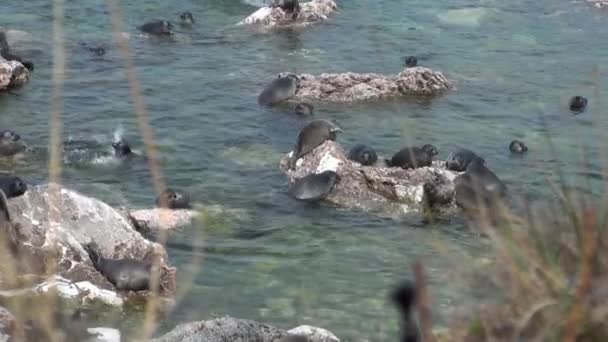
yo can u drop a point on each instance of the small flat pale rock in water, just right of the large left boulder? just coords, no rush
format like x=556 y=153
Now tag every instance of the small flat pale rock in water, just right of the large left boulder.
x=152 y=221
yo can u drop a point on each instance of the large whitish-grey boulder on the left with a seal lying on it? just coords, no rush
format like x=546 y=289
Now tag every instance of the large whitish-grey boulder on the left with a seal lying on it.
x=47 y=235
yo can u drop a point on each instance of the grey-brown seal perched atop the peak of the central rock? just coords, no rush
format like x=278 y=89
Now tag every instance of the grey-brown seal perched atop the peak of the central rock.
x=311 y=136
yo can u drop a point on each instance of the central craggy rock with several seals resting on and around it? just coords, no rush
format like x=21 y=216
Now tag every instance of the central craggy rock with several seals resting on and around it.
x=377 y=187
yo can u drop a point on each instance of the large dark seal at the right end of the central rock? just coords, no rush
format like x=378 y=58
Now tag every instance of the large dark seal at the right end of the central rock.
x=478 y=187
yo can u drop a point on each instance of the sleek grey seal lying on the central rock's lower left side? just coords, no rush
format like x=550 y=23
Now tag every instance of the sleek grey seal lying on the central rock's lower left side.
x=313 y=187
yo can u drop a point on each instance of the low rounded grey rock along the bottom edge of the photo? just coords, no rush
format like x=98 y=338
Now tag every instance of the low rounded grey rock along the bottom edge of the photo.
x=240 y=330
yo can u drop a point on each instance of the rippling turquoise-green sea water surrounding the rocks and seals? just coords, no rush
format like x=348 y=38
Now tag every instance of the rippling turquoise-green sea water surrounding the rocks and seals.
x=273 y=259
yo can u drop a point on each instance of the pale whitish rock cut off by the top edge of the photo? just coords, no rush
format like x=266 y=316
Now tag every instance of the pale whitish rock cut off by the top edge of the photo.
x=310 y=12
